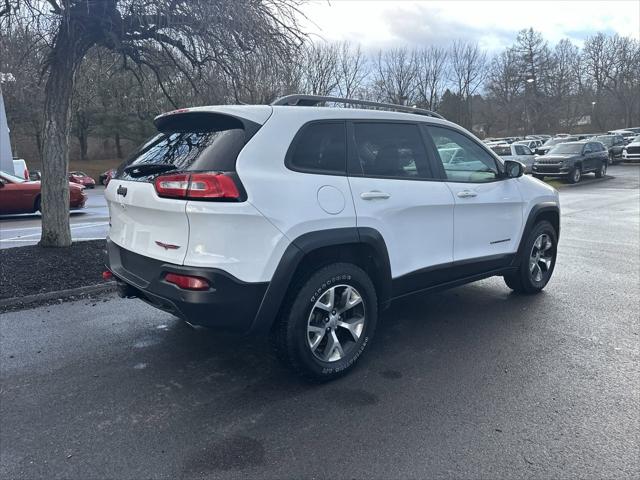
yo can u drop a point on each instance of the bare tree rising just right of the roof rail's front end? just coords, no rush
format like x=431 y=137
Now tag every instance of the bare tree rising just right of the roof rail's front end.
x=468 y=69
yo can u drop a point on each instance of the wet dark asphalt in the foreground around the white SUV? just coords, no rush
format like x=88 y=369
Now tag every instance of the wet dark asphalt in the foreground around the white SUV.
x=474 y=382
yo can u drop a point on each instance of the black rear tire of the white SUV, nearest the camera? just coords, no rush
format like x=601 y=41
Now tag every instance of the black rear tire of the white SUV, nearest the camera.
x=292 y=337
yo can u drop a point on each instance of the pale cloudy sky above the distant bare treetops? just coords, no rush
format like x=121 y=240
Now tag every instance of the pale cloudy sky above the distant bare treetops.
x=494 y=24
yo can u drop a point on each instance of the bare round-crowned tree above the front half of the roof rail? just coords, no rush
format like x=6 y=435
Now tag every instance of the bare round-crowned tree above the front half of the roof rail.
x=395 y=76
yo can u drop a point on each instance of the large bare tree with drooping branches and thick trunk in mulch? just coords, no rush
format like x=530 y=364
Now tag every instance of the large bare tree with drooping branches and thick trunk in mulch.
x=189 y=33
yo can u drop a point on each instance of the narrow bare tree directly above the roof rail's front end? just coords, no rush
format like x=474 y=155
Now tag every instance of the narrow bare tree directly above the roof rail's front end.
x=431 y=63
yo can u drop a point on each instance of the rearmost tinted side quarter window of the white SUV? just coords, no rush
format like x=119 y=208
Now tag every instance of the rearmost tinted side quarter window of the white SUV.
x=320 y=147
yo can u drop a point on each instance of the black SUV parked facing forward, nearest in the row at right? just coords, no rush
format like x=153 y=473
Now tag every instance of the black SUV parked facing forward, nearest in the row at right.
x=571 y=160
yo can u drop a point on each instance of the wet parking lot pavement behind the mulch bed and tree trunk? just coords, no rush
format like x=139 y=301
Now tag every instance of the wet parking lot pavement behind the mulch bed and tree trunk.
x=88 y=223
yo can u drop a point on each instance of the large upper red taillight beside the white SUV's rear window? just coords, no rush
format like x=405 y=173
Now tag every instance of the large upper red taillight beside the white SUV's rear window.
x=197 y=186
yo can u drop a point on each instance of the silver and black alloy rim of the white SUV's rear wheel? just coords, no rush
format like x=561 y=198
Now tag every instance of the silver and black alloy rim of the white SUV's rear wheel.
x=336 y=323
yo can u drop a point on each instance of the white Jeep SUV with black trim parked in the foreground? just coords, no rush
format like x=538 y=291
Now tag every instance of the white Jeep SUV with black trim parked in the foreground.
x=304 y=221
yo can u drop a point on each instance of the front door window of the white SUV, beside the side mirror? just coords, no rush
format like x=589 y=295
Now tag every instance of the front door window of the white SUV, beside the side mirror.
x=462 y=158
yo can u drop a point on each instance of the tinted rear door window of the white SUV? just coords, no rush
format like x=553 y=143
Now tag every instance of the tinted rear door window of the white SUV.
x=392 y=150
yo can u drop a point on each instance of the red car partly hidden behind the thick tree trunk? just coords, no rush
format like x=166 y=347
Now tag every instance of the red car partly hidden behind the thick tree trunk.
x=20 y=196
